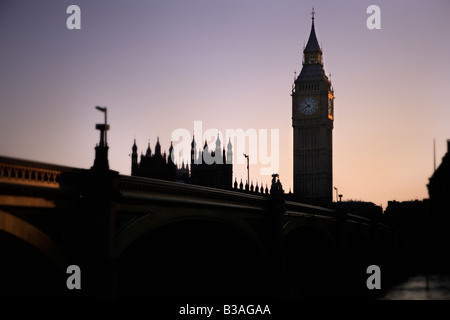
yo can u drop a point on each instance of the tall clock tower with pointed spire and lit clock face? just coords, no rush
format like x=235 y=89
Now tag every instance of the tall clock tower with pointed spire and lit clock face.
x=312 y=120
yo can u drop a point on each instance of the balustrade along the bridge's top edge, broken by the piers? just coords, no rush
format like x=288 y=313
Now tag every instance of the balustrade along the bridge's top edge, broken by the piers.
x=18 y=172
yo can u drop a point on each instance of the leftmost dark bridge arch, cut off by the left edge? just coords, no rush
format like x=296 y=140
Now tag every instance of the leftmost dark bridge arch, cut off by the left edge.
x=32 y=265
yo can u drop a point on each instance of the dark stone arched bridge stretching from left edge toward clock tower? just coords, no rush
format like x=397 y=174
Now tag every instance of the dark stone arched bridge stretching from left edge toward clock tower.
x=146 y=238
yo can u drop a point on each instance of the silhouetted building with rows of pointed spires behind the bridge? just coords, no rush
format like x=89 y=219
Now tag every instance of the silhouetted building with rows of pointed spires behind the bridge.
x=208 y=168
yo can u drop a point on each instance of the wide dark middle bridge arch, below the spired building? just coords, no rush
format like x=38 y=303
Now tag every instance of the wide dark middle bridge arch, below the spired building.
x=193 y=256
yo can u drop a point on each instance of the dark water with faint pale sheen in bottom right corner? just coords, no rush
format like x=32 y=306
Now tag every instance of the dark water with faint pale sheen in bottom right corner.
x=415 y=288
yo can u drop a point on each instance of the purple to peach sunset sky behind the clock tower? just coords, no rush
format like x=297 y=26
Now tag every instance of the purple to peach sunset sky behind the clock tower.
x=158 y=66
